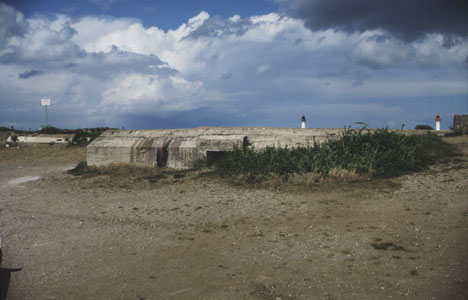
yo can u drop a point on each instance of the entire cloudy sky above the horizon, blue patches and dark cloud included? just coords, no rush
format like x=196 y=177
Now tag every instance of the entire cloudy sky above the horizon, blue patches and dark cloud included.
x=145 y=64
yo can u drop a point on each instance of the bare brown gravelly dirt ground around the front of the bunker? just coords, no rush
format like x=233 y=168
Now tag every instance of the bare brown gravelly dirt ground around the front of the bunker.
x=191 y=236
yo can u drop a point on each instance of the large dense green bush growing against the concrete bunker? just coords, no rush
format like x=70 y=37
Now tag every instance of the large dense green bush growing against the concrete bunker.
x=381 y=153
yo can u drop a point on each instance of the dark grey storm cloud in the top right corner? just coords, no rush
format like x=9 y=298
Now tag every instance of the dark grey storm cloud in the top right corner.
x=408 y=20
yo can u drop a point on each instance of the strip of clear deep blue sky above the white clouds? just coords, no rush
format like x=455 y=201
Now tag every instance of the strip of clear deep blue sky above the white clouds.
x=161 y=13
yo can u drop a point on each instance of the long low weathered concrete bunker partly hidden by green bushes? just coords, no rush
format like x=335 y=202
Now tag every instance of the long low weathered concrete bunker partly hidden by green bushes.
x=180 y=148
